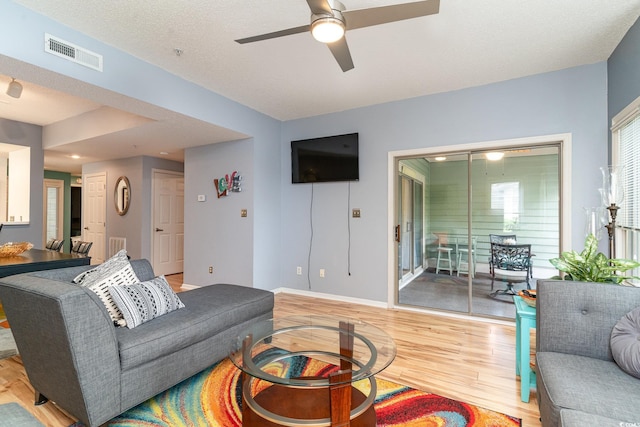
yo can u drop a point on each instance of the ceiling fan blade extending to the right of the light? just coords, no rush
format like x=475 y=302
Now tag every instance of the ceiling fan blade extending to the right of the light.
x=384 y=14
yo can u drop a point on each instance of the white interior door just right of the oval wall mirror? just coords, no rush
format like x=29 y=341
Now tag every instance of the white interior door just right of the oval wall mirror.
x=168 y=222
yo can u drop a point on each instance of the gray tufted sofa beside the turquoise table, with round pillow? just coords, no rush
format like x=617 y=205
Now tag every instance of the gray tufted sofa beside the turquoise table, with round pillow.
x=579 y=383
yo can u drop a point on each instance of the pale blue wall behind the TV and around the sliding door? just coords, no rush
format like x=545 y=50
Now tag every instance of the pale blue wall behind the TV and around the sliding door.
x=568 y=101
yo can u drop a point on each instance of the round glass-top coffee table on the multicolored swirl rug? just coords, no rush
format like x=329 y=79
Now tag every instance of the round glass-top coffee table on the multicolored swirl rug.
x=300 y=371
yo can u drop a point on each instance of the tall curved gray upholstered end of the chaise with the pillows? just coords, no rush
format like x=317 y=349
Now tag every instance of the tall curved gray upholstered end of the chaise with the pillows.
x=67 y=343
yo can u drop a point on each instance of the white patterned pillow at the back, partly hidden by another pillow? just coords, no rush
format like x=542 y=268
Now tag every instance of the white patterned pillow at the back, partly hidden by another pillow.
x=116 y=271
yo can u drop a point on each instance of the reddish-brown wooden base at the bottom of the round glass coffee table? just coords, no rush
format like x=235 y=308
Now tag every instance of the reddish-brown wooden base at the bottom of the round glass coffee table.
x=303 y=407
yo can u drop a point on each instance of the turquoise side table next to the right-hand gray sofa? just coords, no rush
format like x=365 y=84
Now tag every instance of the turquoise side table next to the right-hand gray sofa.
x=525 y=321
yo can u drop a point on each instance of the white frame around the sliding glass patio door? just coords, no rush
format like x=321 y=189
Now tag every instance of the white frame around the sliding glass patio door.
x=393 y=158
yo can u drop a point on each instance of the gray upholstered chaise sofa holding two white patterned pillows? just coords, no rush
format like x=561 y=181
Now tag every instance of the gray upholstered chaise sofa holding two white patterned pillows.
x=76 y=357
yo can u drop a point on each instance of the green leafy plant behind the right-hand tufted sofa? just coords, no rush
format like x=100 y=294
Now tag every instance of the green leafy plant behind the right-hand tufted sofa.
x=593 y=266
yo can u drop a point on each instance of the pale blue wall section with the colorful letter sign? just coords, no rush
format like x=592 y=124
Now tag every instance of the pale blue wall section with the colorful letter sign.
x=224 y=233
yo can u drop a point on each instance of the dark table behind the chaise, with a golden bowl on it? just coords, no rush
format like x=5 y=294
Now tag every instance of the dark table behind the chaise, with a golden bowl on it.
x=39 y=259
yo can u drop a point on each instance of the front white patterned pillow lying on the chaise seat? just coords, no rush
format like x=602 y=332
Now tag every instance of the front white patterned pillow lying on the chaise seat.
x=144 y=301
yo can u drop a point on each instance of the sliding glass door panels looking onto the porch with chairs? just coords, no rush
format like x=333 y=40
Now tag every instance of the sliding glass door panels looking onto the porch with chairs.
x=467 y=197
